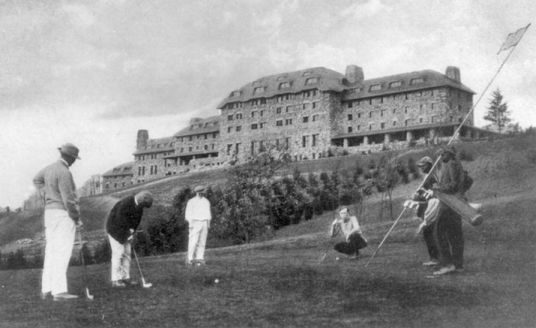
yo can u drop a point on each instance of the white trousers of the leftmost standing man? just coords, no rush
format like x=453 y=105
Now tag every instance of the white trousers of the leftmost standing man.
x=60 y=231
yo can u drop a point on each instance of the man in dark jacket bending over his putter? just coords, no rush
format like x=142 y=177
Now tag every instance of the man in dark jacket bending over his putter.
x=122 y=222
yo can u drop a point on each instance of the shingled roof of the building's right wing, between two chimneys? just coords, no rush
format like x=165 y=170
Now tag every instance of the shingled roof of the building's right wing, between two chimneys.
x=402 y=83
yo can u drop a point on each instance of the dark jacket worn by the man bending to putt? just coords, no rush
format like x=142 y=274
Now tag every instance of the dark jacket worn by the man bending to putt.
x=125 y=215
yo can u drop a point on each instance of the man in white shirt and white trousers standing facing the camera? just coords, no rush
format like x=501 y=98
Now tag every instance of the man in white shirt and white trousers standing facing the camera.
x=198 y=216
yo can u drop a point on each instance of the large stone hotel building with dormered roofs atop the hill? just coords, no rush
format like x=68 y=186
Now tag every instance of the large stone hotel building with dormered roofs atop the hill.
x=311 y=113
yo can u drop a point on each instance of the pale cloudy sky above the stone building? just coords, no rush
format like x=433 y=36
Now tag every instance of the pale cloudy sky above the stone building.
x=93 y=73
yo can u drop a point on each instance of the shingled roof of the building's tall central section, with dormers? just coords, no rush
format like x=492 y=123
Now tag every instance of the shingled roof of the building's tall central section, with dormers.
x=284 y=83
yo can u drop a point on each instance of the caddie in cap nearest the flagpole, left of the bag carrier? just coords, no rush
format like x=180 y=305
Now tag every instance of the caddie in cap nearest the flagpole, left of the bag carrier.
x=427 y=210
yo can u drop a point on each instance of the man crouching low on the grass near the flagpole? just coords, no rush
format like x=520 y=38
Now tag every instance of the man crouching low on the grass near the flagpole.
x=351 y=230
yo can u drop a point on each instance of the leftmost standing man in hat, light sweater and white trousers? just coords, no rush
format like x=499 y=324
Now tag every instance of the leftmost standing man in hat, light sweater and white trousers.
x=62 y=220
